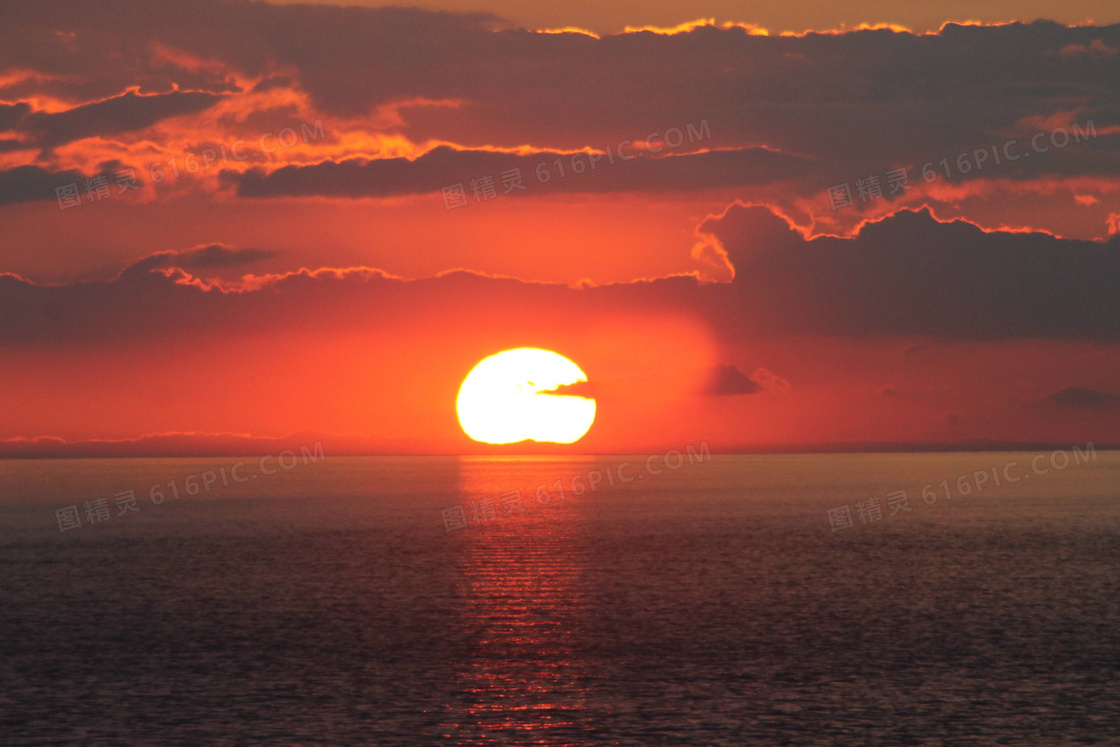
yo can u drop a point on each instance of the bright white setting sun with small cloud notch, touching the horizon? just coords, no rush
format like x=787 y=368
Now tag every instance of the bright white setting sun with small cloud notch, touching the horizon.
x=507 y=399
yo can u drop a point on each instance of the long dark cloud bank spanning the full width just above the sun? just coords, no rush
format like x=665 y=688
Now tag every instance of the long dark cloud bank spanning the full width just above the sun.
x=908 y=275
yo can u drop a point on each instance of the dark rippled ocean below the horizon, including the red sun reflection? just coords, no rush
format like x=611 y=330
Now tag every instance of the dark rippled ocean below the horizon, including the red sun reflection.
x=343 y=603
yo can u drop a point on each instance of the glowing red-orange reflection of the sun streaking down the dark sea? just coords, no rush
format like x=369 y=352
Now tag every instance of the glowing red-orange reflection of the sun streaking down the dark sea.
x=524 y=680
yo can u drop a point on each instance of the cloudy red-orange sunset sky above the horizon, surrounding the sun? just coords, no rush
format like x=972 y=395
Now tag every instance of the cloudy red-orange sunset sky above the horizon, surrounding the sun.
x=759 y=226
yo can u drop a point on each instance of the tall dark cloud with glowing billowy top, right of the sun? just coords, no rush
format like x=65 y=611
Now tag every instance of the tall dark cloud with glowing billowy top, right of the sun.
x=912 y=275
